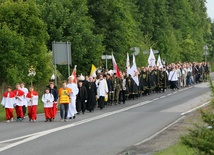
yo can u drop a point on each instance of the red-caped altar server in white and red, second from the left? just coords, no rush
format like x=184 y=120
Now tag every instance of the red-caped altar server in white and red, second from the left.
x=19 y=101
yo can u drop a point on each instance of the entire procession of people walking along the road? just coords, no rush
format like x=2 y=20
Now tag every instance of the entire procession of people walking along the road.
x=105 y=89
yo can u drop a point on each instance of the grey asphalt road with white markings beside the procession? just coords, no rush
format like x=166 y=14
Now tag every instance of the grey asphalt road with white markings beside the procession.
x=103 y=132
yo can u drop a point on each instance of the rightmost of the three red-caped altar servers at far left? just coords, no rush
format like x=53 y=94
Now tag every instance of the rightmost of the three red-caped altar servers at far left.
x=32 y=100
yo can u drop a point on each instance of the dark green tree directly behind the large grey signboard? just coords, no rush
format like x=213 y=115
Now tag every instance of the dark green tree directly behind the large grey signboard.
x=69 y=21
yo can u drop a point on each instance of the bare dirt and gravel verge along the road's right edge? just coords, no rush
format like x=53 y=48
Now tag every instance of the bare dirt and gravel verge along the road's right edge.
x=167 y=138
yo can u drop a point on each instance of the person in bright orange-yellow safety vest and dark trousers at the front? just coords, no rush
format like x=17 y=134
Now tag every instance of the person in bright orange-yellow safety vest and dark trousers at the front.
x=64 y=100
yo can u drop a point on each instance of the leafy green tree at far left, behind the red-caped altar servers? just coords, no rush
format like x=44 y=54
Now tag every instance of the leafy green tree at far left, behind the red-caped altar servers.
x=22 y=42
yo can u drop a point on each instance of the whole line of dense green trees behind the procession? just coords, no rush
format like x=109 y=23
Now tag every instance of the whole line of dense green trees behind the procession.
x=177 y=28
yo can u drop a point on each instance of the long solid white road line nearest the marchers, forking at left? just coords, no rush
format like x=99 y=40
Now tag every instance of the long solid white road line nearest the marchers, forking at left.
x=31 y=137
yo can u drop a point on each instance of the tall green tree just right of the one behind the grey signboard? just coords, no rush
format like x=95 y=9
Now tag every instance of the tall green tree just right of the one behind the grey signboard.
x=119 y=23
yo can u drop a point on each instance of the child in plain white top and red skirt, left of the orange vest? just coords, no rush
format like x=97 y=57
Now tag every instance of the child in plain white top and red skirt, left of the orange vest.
x=47 y=99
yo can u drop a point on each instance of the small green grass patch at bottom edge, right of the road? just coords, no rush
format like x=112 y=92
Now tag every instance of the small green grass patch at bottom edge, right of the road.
x=177 y=149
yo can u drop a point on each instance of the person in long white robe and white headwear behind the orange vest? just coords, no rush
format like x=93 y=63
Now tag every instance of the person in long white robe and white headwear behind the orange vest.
x=72 y=105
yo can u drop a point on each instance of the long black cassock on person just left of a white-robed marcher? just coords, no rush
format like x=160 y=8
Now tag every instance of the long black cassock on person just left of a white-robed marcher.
x=91 y=92
